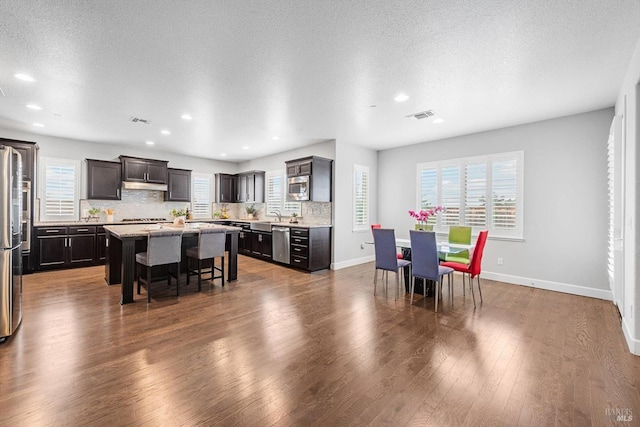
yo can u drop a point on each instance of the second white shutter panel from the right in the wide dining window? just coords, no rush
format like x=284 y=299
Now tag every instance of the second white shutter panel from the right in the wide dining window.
x=475 y=195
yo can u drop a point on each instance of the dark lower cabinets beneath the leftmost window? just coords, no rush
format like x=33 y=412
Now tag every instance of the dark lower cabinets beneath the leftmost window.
x=67 y=247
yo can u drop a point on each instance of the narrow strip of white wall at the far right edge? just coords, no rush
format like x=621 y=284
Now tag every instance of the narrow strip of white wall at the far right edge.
x=627 y=106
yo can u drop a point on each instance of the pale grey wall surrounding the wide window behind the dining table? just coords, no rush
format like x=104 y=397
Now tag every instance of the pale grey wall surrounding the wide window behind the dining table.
x=565 y=204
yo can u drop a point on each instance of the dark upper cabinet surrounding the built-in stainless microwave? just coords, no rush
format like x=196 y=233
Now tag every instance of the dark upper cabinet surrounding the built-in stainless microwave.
x=319 y=173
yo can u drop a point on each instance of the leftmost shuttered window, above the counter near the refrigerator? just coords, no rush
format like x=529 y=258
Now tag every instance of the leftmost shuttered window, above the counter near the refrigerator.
x=60 y=190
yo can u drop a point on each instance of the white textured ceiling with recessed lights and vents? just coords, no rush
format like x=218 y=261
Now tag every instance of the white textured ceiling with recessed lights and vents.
x=305 y=70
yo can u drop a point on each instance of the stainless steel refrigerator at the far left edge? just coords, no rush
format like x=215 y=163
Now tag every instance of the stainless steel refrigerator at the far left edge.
x=10 y=241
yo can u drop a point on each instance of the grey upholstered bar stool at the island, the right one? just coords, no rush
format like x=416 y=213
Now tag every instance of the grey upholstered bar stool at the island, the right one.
x=211 y=244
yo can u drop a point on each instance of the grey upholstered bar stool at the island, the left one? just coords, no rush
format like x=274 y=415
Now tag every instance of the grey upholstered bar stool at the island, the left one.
x=163 y=247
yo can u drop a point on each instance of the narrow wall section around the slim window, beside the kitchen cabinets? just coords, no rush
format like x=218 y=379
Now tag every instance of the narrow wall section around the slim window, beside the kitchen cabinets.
x=347 y=246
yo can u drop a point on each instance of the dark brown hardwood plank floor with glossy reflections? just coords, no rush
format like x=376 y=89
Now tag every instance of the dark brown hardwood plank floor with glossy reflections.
x=285 y=348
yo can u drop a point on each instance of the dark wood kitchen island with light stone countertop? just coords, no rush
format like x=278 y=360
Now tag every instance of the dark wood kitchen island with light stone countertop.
x=124 y=241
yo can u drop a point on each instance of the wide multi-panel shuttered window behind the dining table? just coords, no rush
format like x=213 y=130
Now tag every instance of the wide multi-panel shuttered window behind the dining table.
x=483 y=192
